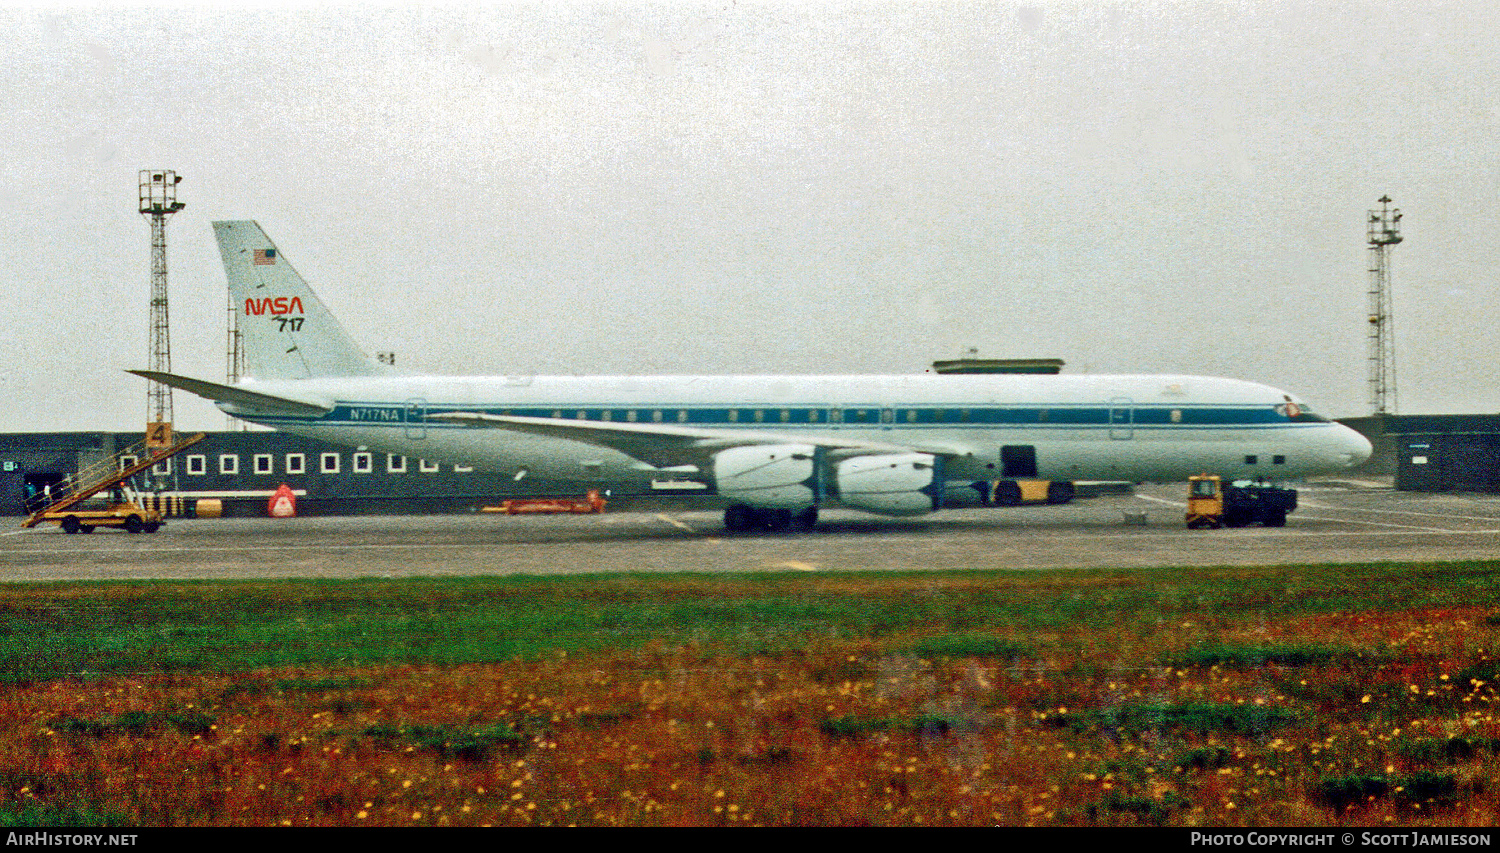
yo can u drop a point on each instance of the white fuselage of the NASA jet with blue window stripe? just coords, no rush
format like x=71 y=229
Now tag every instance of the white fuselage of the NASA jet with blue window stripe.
x=1079 y=428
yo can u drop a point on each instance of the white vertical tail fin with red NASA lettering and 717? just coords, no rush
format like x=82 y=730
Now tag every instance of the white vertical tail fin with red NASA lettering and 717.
x=287 y=332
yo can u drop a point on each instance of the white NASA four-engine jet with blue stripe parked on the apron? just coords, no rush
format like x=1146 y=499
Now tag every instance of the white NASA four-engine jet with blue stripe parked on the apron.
x=775 y=449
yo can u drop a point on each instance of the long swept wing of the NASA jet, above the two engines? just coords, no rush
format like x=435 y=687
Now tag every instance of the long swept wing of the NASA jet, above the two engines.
x=668 y=446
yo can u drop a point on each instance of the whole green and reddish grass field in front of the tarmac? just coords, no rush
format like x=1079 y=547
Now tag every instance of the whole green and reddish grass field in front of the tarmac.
x=1210 y=698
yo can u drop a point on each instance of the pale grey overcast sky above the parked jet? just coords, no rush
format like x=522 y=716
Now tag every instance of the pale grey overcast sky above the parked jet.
x=787 y=188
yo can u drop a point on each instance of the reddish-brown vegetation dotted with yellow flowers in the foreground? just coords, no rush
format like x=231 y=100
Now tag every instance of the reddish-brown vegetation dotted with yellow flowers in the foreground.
x=860 y=734
